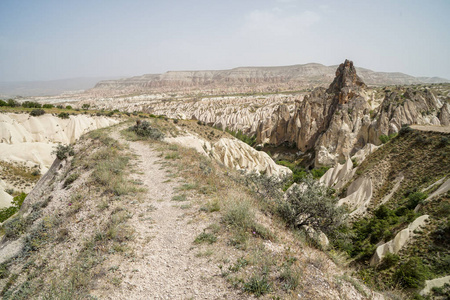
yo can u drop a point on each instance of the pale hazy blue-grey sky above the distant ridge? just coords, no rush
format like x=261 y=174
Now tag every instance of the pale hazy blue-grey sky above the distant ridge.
x=45 y=39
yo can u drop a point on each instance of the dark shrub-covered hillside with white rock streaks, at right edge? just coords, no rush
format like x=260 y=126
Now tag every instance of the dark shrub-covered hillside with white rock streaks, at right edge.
x=399 y=202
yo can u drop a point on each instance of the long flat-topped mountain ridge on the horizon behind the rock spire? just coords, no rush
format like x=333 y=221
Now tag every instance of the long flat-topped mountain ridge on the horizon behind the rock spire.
x=307 y=75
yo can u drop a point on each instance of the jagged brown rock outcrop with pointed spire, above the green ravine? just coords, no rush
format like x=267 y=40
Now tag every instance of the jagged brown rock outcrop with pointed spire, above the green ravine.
x=339 y=121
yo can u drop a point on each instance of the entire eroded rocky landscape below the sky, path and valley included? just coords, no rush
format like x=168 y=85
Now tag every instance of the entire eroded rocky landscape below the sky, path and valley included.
x=206 y=174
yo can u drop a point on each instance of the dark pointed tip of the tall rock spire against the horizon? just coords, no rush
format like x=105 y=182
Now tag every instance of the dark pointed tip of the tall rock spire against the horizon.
x=347 y=83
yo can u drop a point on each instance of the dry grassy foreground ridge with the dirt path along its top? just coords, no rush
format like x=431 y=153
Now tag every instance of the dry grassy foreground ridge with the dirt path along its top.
x=141 y=219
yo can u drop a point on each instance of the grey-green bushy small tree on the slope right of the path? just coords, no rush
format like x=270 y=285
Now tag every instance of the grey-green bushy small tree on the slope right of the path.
x=310 y=203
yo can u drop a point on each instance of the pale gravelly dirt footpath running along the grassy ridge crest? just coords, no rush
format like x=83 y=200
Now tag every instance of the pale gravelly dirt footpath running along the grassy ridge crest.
x=165 y=265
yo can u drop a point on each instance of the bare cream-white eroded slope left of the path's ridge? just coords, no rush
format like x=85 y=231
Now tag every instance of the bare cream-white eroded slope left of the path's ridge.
x=27 y=144
